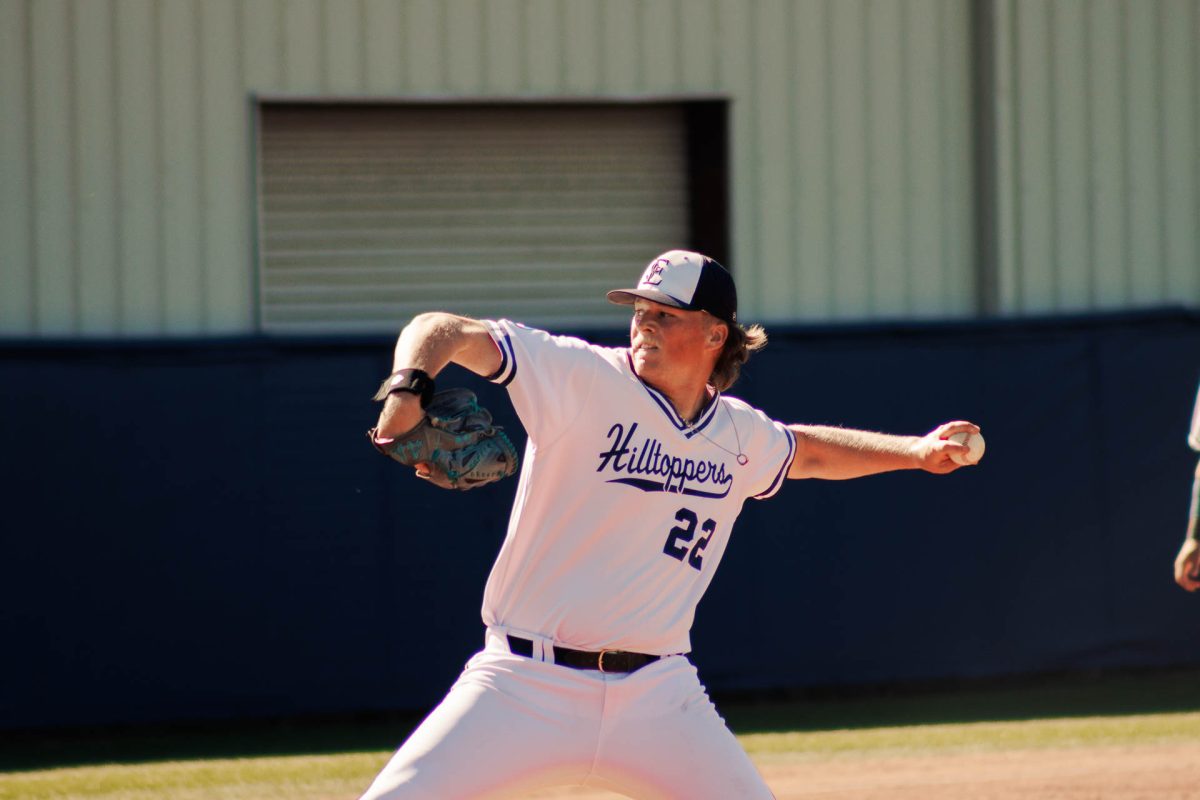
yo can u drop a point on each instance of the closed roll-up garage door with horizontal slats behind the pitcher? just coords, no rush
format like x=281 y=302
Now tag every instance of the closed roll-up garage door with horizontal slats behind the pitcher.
x=373 y=214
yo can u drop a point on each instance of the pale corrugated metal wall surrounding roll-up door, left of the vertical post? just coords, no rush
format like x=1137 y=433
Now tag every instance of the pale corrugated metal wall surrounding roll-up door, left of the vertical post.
x=127 y=140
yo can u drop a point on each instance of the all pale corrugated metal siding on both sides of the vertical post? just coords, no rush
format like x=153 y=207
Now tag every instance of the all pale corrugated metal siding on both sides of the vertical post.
x=128 y=209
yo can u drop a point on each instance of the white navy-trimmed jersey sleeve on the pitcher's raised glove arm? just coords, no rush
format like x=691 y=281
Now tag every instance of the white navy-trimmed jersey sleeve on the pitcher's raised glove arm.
x=548 y=377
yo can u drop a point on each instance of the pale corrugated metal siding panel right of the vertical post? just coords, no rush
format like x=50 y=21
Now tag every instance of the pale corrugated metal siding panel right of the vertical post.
x=1101 y=154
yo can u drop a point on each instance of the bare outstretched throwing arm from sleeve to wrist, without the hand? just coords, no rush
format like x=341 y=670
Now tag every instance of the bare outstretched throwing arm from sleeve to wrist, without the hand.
x=841 y=454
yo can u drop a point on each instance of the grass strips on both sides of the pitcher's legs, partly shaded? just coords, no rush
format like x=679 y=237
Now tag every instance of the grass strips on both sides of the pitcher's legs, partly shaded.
x=337 y=759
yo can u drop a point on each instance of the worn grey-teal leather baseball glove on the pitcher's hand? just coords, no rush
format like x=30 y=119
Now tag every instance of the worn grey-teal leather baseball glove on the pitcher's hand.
x=457 y=444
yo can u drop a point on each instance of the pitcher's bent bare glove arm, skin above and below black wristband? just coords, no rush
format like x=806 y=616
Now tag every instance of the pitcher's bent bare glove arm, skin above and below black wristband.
x=430 y=342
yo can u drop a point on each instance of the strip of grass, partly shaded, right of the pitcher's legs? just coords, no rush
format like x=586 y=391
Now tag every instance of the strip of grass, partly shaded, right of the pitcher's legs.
x=1157 y=707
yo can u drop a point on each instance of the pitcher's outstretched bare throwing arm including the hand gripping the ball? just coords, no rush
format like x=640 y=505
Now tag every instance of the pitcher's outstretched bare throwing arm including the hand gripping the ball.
x=841 y=454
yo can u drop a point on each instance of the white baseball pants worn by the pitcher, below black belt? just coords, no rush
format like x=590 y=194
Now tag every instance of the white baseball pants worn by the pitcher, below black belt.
x=512 y=725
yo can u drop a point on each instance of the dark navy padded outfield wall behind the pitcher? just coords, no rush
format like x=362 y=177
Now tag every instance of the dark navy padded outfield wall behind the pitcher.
x=200 y=531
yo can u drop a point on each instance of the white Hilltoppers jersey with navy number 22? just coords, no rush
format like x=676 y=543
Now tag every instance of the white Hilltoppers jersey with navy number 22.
x=623 y=510
